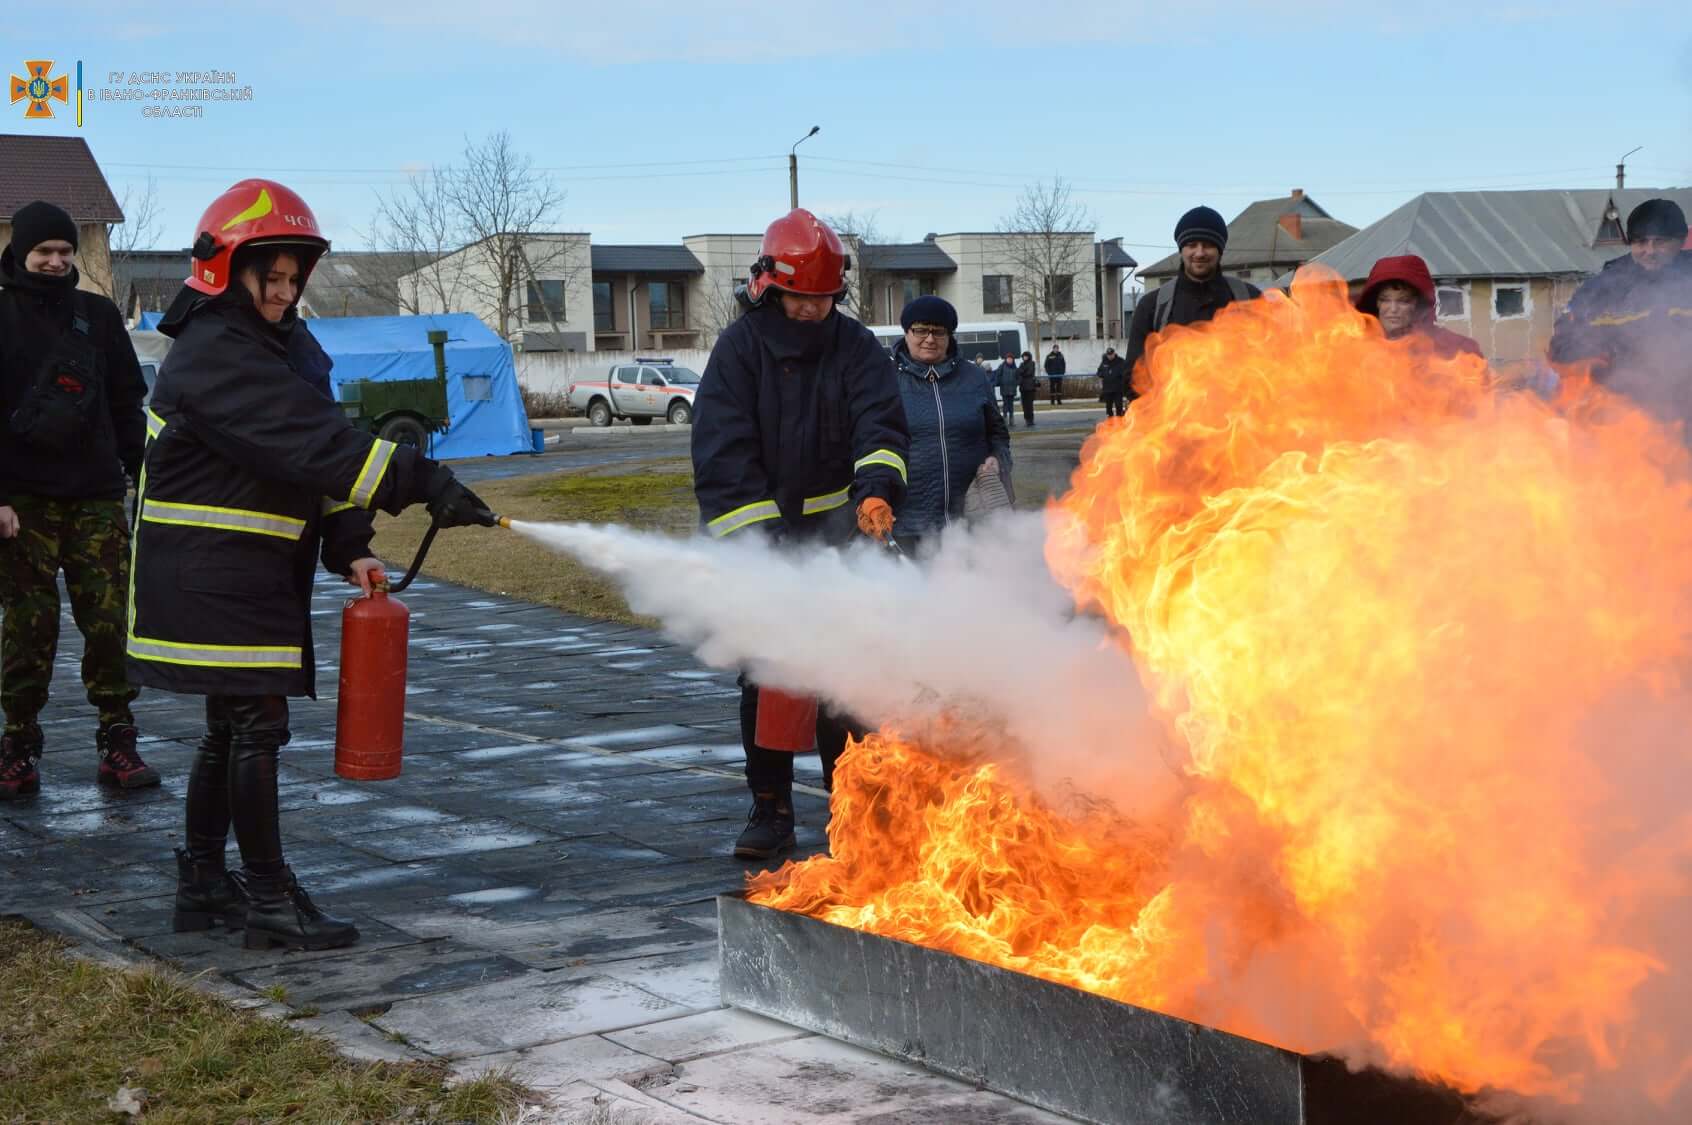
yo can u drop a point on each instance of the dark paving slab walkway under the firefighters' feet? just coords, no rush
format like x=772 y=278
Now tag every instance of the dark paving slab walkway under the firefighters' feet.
x=536 y=891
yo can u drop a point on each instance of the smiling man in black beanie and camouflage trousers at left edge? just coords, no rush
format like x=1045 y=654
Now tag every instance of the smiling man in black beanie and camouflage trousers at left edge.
x=70 y=410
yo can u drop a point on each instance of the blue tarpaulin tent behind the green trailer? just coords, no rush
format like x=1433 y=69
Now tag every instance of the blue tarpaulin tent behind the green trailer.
x=483 y=397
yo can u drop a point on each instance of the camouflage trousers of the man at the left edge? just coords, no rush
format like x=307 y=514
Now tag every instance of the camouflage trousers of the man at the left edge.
x=91 y=542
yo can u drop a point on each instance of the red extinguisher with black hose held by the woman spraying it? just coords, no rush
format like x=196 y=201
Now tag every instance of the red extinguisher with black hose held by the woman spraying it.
x=371 y=708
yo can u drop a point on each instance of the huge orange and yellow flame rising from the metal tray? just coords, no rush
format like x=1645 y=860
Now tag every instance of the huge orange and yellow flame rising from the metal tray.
x=1422 y=645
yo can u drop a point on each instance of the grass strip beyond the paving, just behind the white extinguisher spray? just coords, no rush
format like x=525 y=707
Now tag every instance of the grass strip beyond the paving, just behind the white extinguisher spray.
x=656 y=497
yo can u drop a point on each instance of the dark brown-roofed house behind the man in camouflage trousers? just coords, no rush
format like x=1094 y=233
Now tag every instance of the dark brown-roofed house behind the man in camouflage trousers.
x=62 y=172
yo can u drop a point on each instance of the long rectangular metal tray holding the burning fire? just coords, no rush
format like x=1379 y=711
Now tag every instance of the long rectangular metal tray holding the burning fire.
x=1048 y=1045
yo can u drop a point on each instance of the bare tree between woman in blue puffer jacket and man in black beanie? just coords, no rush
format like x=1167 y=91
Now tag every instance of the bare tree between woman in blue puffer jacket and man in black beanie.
x=1050 y=244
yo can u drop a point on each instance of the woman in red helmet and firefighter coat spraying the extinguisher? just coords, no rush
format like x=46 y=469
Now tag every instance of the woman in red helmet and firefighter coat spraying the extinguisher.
x=251 y=475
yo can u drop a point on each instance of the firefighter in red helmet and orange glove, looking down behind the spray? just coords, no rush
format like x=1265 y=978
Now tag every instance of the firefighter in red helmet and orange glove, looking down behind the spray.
x=799 y=434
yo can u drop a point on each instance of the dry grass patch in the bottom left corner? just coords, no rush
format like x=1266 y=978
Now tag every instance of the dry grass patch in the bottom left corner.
x=74 y=1034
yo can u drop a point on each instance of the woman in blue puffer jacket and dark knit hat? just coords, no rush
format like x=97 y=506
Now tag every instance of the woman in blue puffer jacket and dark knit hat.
x=957 y=432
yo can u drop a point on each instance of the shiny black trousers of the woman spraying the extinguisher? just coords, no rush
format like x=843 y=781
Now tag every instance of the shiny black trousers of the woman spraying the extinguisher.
x=234 y=781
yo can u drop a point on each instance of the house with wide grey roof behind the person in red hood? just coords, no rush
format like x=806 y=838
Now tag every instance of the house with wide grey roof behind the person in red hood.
x=1505 y=263
